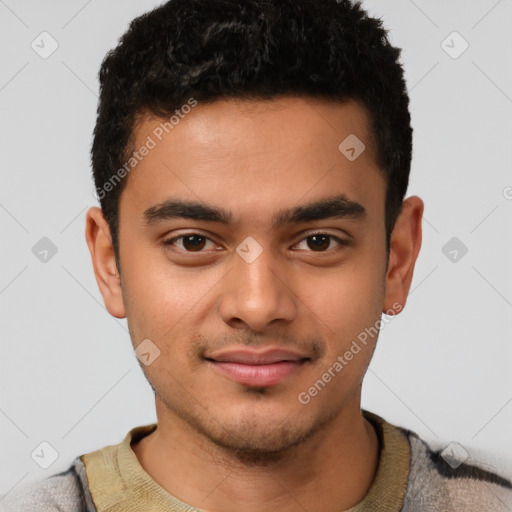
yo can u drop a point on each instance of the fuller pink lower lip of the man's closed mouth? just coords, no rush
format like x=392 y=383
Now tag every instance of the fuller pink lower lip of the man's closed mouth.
x=258 y=375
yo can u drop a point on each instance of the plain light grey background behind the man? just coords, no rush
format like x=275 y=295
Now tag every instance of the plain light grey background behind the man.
x=442 y=367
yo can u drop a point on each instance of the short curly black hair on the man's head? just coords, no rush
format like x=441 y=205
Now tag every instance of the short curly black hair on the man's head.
x=259 y=49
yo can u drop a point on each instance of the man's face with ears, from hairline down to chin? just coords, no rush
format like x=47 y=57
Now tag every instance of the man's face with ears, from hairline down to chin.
x=253 y=256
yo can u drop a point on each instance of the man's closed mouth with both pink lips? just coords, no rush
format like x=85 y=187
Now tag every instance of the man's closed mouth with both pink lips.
x=258 y=369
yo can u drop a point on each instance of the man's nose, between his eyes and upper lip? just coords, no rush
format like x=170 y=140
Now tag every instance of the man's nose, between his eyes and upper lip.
x=256 y=293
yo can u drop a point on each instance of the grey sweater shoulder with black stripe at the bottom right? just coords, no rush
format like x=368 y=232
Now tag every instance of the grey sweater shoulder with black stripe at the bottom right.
x=447 y=479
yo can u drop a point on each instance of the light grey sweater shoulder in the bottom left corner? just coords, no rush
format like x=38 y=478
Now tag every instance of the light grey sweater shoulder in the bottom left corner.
x=63 y=492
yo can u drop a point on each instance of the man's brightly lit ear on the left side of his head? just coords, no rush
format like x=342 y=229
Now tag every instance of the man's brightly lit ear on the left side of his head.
x=99 y=241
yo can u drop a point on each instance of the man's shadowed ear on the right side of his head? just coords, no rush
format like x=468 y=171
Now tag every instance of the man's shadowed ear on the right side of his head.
x=405 y=245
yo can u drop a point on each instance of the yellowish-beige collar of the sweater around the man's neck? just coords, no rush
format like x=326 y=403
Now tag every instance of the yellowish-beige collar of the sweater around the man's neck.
x=118 y=483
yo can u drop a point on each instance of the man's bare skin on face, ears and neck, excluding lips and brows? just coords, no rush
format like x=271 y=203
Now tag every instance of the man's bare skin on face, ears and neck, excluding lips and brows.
x=235 y=444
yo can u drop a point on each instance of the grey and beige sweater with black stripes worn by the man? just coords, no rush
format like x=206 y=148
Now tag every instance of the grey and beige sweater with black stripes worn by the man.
x=433 y=482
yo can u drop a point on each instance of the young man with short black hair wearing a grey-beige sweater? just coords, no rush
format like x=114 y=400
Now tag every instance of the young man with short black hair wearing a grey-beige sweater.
x=251 y=159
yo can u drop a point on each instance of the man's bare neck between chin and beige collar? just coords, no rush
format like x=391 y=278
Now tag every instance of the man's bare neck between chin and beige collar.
x=333 y=470
